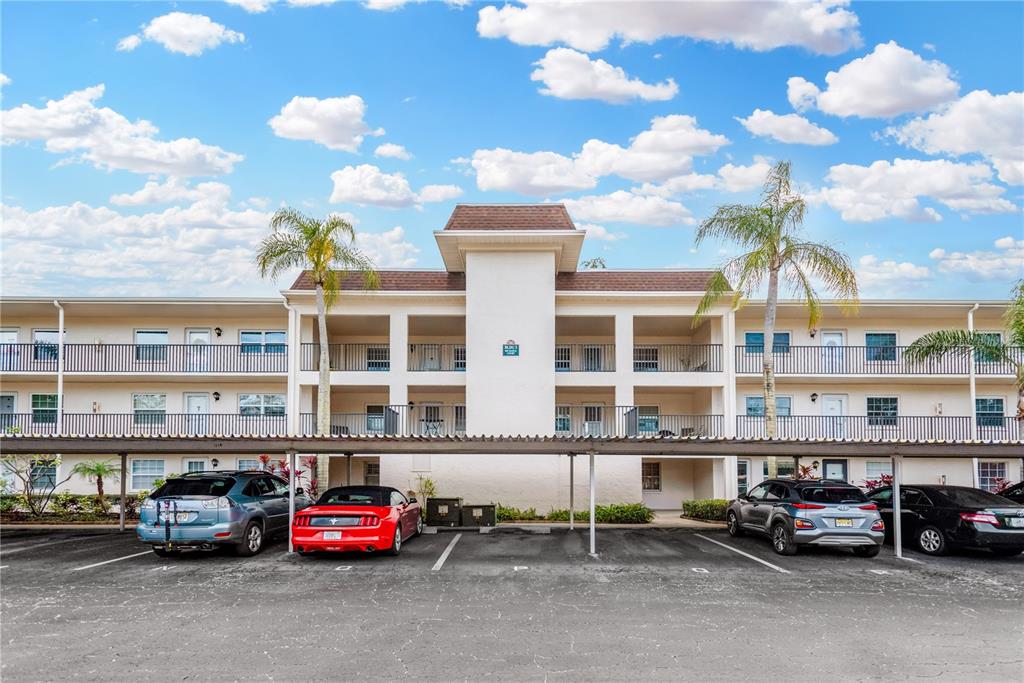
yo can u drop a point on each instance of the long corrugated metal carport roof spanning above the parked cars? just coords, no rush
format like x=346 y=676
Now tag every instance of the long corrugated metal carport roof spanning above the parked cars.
x=500 y=446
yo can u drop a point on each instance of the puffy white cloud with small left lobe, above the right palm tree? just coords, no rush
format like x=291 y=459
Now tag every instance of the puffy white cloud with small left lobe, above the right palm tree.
x=890 y=81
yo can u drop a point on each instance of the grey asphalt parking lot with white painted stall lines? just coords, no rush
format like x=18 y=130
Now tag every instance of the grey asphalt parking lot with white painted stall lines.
x=513 y=605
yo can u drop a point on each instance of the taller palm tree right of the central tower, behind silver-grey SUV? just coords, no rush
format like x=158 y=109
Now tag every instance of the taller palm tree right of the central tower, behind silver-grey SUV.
x=770 y=234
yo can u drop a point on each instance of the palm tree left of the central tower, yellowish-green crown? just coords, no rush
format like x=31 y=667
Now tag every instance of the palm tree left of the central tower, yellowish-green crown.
x=325 y=248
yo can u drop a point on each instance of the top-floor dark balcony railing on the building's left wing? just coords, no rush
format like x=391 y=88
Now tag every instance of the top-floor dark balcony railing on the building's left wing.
x=105 y=358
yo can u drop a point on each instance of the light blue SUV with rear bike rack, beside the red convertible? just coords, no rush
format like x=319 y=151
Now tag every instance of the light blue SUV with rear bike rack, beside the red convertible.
x=228 y=508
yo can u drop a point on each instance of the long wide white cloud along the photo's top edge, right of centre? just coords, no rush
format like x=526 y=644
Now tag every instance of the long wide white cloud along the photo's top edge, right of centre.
x=823 y=27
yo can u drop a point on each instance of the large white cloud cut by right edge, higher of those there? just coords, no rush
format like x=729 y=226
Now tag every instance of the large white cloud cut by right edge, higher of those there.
x=978 y=123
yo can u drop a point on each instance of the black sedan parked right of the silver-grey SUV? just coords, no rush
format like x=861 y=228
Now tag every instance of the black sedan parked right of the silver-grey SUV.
x=937 y=519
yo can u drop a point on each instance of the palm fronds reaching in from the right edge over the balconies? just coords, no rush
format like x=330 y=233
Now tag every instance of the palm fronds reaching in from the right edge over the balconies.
x=973 y=345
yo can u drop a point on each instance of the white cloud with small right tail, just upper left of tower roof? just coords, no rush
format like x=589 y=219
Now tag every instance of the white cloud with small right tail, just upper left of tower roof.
x=367 y=185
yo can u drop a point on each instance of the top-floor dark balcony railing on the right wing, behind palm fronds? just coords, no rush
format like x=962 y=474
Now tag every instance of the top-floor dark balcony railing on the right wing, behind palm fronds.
x=865 y=361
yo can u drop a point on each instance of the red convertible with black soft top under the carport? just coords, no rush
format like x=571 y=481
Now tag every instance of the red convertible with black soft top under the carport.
x=362 y=519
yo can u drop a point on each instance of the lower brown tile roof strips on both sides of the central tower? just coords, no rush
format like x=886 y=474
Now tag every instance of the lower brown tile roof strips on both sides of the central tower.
x=587 y=281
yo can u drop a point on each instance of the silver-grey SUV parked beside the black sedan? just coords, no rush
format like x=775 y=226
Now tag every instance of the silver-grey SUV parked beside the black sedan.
x=795 y=514
